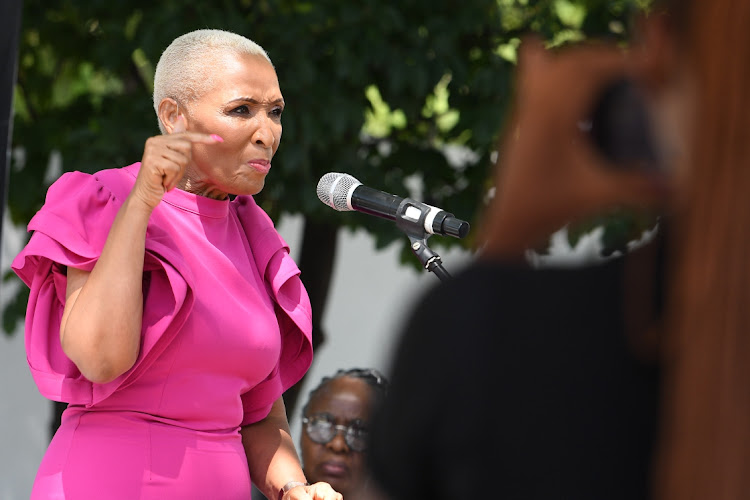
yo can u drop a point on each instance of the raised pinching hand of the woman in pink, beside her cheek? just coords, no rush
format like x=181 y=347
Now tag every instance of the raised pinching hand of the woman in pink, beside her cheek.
x=165 y=158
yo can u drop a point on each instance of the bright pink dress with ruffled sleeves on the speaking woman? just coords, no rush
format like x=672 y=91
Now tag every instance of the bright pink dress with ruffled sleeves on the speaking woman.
x=226 y=330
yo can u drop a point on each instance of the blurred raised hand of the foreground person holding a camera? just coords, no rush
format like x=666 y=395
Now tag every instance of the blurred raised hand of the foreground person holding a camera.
x=550 y=172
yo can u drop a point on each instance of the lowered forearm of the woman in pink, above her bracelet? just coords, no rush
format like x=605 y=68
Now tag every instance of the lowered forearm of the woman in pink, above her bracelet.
x=271 y=455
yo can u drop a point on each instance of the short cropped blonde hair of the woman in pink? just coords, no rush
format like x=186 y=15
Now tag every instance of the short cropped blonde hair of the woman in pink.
x=184 y=71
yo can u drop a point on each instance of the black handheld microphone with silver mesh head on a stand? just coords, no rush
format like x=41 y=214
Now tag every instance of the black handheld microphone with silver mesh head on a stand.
x=344 y=193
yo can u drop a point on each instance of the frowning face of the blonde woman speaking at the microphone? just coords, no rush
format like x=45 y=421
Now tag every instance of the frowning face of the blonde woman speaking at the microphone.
x=244 y=108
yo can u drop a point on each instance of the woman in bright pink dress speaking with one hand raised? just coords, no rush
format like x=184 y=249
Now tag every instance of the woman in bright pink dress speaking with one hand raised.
x=168 y=316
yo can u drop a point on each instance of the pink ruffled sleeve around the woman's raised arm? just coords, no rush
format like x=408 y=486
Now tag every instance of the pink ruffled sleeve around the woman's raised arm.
x=70 y=231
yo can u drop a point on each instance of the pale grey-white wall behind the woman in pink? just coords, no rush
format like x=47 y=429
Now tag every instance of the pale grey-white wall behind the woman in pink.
x=369 y=296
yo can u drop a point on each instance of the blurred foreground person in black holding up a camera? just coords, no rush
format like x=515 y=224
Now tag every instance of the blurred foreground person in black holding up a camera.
x=621 y=380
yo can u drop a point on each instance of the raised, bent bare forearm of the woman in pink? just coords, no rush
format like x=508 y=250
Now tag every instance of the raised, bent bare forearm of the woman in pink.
x=101 y=326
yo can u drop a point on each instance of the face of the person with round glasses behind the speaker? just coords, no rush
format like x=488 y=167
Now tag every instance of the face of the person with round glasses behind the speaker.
x=346 y=400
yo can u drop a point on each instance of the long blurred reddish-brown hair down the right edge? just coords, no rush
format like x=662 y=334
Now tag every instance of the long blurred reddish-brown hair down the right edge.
x=704 y=445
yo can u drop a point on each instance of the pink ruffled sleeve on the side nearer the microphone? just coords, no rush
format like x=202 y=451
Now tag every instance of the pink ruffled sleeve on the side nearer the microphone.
x=293 y=310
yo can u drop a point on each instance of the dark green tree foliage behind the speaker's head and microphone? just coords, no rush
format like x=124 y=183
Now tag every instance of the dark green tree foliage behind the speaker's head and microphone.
x=373 y=88
